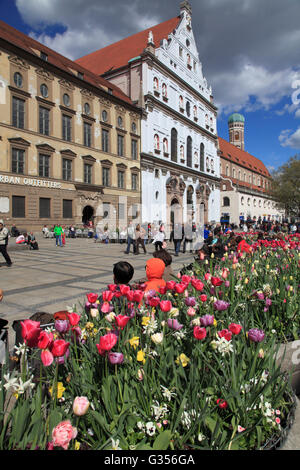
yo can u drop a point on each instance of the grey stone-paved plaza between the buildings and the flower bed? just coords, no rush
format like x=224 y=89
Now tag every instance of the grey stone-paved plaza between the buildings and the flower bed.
x=52 y=278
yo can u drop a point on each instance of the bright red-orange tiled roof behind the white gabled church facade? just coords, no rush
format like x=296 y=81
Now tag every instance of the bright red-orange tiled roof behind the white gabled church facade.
x=120 y=53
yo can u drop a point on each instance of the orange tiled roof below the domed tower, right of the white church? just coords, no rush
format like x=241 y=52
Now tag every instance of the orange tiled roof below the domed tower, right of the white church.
x=232 y=153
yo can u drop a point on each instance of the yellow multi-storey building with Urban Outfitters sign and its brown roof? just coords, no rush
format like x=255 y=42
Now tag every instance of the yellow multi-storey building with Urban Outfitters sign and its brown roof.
x=69 y=141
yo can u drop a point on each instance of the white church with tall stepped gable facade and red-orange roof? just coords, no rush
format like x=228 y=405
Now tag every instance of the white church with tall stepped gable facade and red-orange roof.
x=160 y=70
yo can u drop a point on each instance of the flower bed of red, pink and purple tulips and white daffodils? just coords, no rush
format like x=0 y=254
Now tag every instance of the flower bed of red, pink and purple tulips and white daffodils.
x=190 y=367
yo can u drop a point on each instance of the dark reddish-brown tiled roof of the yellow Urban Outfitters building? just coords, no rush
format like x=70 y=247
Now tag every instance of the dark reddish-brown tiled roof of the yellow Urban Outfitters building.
x=21 y=40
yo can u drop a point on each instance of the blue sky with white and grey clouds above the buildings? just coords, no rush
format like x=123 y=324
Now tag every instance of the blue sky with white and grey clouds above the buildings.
x=249 y=50
